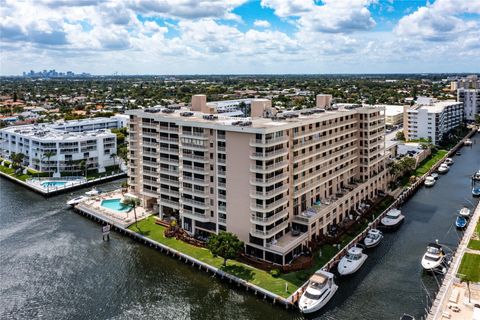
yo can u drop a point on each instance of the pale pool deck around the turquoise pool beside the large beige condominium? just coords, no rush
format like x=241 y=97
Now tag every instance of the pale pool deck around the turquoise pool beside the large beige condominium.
x=123 y=219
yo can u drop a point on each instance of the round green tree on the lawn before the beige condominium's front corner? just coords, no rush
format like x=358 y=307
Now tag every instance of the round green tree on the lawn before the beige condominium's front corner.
x=225 y=245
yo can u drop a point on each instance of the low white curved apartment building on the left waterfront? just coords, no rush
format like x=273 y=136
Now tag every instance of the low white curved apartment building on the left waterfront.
x=66 y=149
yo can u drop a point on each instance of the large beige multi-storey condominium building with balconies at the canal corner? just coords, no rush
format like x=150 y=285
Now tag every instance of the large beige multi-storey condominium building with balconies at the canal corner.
x=275 y=180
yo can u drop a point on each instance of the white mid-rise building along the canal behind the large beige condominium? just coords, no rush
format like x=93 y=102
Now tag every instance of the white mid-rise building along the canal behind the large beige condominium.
x=432 y=120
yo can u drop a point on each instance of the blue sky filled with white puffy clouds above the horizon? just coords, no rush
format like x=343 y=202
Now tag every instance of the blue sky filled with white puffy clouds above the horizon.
x=240 y=36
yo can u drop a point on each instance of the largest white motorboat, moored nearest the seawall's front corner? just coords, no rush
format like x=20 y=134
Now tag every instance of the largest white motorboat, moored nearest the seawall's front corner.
x=320 y=289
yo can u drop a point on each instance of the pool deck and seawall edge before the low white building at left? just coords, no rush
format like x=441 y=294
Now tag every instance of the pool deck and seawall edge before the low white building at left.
x=53 y=191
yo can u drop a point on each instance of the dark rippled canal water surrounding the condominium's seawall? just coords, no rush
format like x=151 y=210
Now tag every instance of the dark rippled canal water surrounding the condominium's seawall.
x=54 y=264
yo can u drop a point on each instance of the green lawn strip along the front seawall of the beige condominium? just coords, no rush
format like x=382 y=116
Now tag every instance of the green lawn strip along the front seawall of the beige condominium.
x=148 y=228
